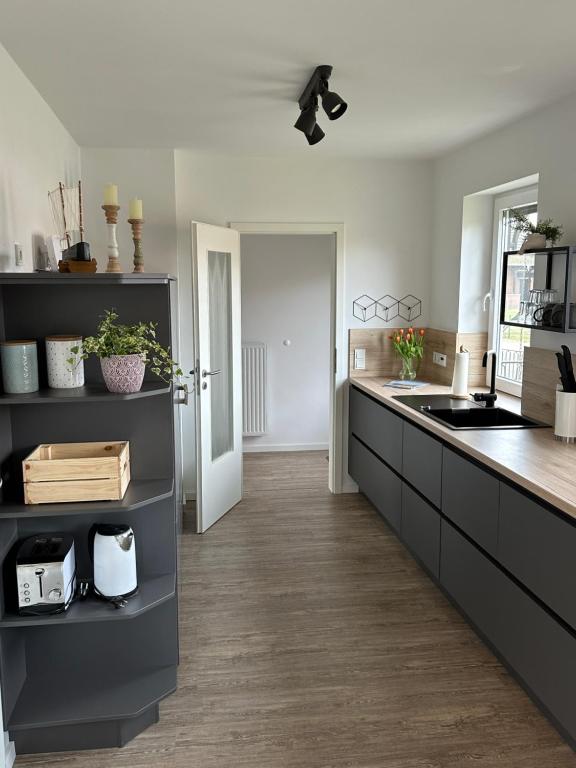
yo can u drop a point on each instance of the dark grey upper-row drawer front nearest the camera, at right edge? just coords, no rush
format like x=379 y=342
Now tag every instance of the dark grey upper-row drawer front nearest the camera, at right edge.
x=539 y=548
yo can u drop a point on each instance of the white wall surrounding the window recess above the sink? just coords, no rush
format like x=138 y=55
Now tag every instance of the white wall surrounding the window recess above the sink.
x=542 y=143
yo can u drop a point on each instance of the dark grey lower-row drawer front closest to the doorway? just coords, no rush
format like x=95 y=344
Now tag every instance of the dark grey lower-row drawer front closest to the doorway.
x=376 y=481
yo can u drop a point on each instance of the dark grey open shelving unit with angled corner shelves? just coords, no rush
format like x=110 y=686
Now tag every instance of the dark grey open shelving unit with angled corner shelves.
x=93 y=676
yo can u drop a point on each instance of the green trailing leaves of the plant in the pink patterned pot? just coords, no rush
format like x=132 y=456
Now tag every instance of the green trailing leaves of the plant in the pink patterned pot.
x=113 y=338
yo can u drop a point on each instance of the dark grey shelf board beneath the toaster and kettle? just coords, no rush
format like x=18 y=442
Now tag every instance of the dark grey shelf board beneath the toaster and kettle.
x=153 y=591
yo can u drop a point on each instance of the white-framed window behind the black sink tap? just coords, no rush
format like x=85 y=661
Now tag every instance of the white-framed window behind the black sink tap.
x=508 y=341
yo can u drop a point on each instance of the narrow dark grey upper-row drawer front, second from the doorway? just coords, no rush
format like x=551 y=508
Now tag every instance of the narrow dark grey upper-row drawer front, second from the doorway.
x=422 y=462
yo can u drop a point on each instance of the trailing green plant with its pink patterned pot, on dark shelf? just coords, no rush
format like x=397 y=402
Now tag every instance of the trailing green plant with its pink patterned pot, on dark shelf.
x=125 y=351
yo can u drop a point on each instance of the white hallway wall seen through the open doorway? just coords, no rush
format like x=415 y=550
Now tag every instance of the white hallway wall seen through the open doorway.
x=286 y=287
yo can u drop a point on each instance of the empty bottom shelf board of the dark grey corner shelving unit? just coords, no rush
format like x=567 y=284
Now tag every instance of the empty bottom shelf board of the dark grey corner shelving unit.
x=101 y=692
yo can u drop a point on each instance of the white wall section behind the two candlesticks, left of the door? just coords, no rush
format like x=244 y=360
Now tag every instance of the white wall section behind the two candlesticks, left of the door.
x=144 y=173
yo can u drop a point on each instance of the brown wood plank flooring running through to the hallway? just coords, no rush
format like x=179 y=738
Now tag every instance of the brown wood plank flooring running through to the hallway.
x=311 y=639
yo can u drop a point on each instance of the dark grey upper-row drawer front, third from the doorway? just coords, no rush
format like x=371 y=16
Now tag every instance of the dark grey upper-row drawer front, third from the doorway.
x=471 y=498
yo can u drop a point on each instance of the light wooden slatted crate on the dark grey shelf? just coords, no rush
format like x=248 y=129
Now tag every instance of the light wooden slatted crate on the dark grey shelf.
x=60 y=472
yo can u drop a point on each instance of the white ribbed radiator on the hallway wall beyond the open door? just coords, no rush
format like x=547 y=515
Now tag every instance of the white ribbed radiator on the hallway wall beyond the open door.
x=254 y=388
